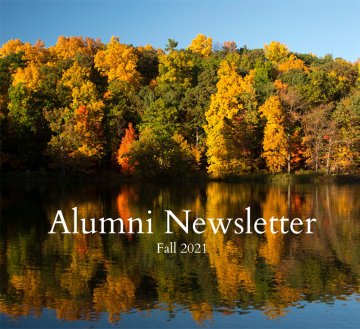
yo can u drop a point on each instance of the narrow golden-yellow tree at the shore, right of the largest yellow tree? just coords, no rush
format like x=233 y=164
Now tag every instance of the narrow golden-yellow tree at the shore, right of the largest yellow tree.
x=274 y=143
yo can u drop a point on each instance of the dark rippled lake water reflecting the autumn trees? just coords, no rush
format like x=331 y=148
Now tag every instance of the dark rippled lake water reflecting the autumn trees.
x=243 y=280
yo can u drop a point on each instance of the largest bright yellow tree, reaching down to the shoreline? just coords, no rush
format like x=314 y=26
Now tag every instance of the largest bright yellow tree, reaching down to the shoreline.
x=224 y=157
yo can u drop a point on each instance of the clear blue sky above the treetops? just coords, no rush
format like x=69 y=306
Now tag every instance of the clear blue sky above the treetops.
x=318 y=26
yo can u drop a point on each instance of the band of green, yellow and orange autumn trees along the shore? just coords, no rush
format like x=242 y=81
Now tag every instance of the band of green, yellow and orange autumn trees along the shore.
x=84 y=107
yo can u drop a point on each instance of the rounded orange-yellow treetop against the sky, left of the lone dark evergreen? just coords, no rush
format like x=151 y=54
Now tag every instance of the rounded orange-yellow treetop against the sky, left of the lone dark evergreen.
x=118 y=61
